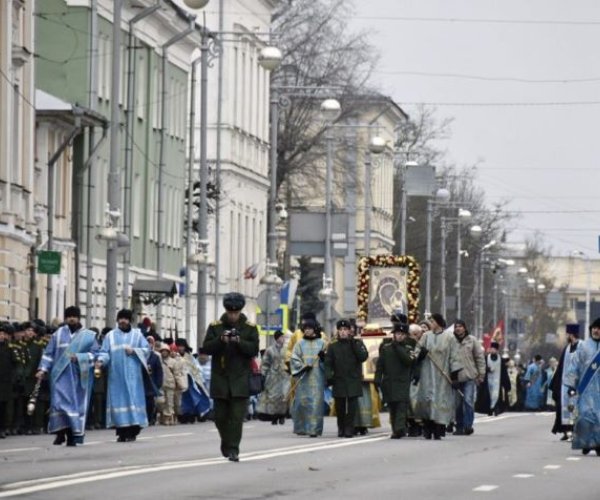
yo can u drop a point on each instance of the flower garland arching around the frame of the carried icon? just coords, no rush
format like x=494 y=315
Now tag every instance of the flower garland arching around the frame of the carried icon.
x=412 y=282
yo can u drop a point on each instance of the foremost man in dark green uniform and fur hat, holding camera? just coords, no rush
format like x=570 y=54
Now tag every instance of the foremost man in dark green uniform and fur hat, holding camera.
x=232 y=342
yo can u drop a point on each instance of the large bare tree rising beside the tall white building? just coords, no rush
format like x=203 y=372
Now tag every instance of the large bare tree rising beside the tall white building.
x=321 y=58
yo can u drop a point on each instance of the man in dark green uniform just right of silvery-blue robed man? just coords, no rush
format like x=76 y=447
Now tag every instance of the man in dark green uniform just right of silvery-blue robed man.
x=343 y=369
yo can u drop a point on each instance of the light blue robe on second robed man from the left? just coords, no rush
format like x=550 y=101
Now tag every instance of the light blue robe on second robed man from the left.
x=125 y=401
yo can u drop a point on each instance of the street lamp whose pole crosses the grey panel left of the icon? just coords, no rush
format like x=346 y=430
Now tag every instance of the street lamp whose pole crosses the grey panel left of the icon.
x=330 y=110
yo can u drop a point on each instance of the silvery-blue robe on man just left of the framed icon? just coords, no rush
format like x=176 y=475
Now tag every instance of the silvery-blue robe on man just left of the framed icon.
x=307 y=408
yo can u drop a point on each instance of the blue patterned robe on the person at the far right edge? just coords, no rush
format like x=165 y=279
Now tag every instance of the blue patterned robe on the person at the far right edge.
x=583 y=374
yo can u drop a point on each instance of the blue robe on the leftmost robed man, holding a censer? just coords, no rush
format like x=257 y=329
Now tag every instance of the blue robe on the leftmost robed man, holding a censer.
x=70 y=382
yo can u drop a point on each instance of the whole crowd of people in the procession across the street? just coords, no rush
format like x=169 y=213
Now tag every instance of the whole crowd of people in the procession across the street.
x=431 y=379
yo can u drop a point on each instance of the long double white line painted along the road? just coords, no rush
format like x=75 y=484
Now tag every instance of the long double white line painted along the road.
x=44 y=484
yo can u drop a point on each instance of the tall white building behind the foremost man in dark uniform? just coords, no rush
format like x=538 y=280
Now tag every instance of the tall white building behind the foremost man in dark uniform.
x=237 y=232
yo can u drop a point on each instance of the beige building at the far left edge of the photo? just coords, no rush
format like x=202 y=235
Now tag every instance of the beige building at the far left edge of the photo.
x=17 y=122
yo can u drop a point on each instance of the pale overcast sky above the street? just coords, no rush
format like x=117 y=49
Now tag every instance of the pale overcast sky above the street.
x=521 y=80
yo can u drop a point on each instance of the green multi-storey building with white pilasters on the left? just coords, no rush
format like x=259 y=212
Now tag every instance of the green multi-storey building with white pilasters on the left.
x=74 y=64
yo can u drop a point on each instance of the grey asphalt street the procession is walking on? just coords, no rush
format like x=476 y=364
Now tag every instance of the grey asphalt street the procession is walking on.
x=510 y=456
